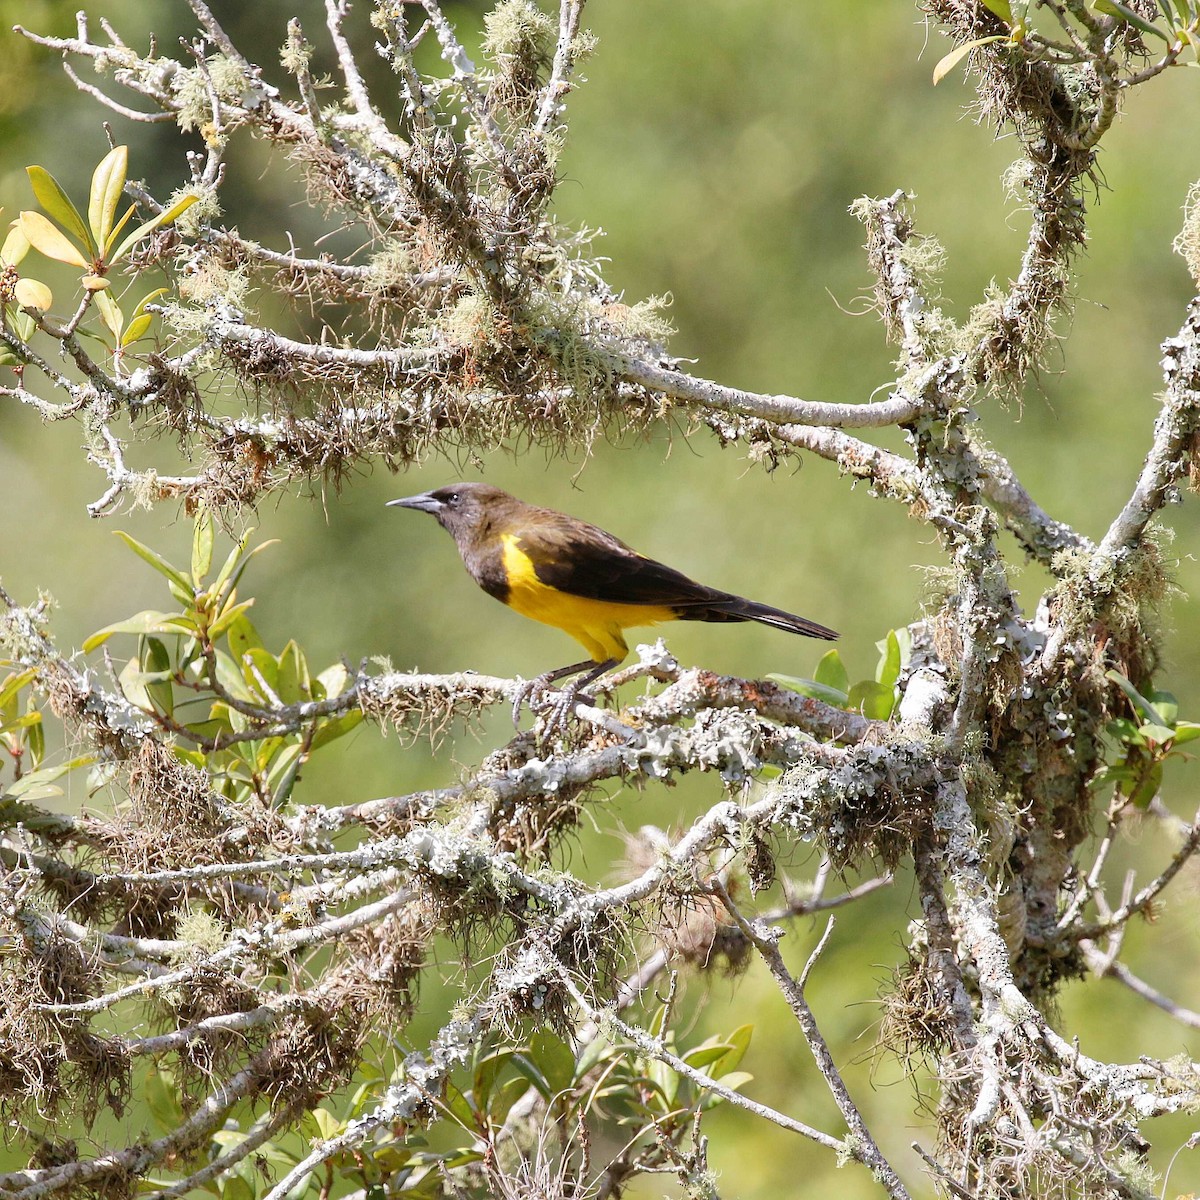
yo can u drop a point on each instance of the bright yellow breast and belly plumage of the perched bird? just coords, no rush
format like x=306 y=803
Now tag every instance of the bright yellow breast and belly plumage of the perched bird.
x=596 y=625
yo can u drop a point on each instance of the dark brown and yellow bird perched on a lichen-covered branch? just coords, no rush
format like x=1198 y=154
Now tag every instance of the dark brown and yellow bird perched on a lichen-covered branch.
x=577 y=577
